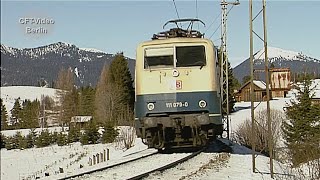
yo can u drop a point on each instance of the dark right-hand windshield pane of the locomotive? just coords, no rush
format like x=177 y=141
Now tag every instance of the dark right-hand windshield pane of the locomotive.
x=190 y=56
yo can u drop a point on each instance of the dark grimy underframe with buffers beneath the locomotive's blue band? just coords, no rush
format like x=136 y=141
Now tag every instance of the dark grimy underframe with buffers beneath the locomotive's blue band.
x=178 y=130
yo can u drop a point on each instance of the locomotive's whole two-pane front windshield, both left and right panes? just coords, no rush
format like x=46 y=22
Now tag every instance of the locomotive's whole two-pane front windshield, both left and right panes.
x=186 y=56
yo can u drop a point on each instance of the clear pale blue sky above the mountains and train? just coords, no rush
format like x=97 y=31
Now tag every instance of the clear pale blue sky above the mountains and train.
x=119 y=26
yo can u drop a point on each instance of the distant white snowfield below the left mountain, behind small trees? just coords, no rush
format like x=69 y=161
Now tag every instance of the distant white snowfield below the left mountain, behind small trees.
x=10 y=93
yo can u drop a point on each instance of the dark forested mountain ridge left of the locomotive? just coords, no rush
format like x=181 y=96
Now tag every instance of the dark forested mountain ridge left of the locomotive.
x=31 y=66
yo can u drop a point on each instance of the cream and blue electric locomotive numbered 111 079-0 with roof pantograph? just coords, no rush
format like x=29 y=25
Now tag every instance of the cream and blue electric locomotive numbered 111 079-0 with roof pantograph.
x=177 y=89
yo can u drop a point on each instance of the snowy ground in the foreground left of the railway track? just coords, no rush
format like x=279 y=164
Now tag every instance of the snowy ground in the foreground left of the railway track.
x=35 y=162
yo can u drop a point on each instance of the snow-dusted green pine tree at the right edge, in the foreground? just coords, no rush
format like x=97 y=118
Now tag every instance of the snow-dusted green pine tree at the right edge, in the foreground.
x=302 y=130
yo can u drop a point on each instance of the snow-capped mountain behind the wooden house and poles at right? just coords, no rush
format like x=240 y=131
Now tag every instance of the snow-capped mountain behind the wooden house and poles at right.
x=280 y=58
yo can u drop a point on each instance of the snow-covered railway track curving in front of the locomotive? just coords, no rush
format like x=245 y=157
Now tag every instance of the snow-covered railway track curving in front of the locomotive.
x=142 y=167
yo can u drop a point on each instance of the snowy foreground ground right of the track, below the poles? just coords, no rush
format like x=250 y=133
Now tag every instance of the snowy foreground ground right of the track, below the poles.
x=234 y=166
